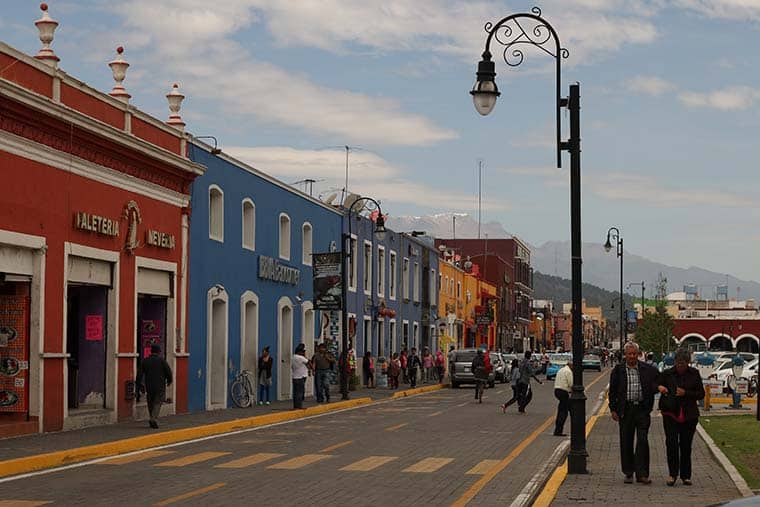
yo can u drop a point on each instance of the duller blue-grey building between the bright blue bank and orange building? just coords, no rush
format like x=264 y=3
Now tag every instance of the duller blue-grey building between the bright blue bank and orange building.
x=392 y=290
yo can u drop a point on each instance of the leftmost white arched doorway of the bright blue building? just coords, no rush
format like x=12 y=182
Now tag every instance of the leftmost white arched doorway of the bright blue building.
x=216 y=348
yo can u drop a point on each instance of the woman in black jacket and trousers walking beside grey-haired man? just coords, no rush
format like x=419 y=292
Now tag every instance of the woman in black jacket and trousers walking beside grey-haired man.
x=680 y=388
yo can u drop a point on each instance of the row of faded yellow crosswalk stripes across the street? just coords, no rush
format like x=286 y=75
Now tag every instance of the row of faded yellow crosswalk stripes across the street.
x=280 y=461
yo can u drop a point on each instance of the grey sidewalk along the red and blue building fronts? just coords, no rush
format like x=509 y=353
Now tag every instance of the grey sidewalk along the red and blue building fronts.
x=17 y=447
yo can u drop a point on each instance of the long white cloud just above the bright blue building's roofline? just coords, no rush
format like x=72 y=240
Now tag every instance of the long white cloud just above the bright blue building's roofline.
x=369 y=174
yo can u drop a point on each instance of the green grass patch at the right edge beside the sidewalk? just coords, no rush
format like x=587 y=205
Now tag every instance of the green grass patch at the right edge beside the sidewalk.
x=736 y=436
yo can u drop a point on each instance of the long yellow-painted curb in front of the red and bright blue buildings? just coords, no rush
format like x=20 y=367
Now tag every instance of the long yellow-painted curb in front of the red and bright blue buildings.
x=69 y=456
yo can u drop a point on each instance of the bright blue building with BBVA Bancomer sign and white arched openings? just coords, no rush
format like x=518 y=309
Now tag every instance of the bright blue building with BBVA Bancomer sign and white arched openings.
x=251 y=240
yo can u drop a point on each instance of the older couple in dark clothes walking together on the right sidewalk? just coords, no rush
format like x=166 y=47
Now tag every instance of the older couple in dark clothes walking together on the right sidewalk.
x=633 y=386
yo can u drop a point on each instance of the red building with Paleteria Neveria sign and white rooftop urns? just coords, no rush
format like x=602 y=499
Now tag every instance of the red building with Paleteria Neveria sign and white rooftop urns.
x=93 y=245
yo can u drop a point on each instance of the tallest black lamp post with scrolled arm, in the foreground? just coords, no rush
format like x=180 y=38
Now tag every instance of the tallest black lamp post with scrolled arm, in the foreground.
x=531 y=29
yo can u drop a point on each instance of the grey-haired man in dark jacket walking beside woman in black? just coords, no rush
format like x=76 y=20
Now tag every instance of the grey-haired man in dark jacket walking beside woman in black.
x=633 y=384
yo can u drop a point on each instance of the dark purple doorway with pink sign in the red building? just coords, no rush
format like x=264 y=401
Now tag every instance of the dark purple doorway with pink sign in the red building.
x=86 y=344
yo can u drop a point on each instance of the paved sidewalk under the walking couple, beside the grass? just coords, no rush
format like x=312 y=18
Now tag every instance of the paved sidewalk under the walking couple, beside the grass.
x=604 y=483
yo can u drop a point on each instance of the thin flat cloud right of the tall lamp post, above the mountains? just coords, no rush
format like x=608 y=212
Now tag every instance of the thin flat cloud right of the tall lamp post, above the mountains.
x=647 y=190
